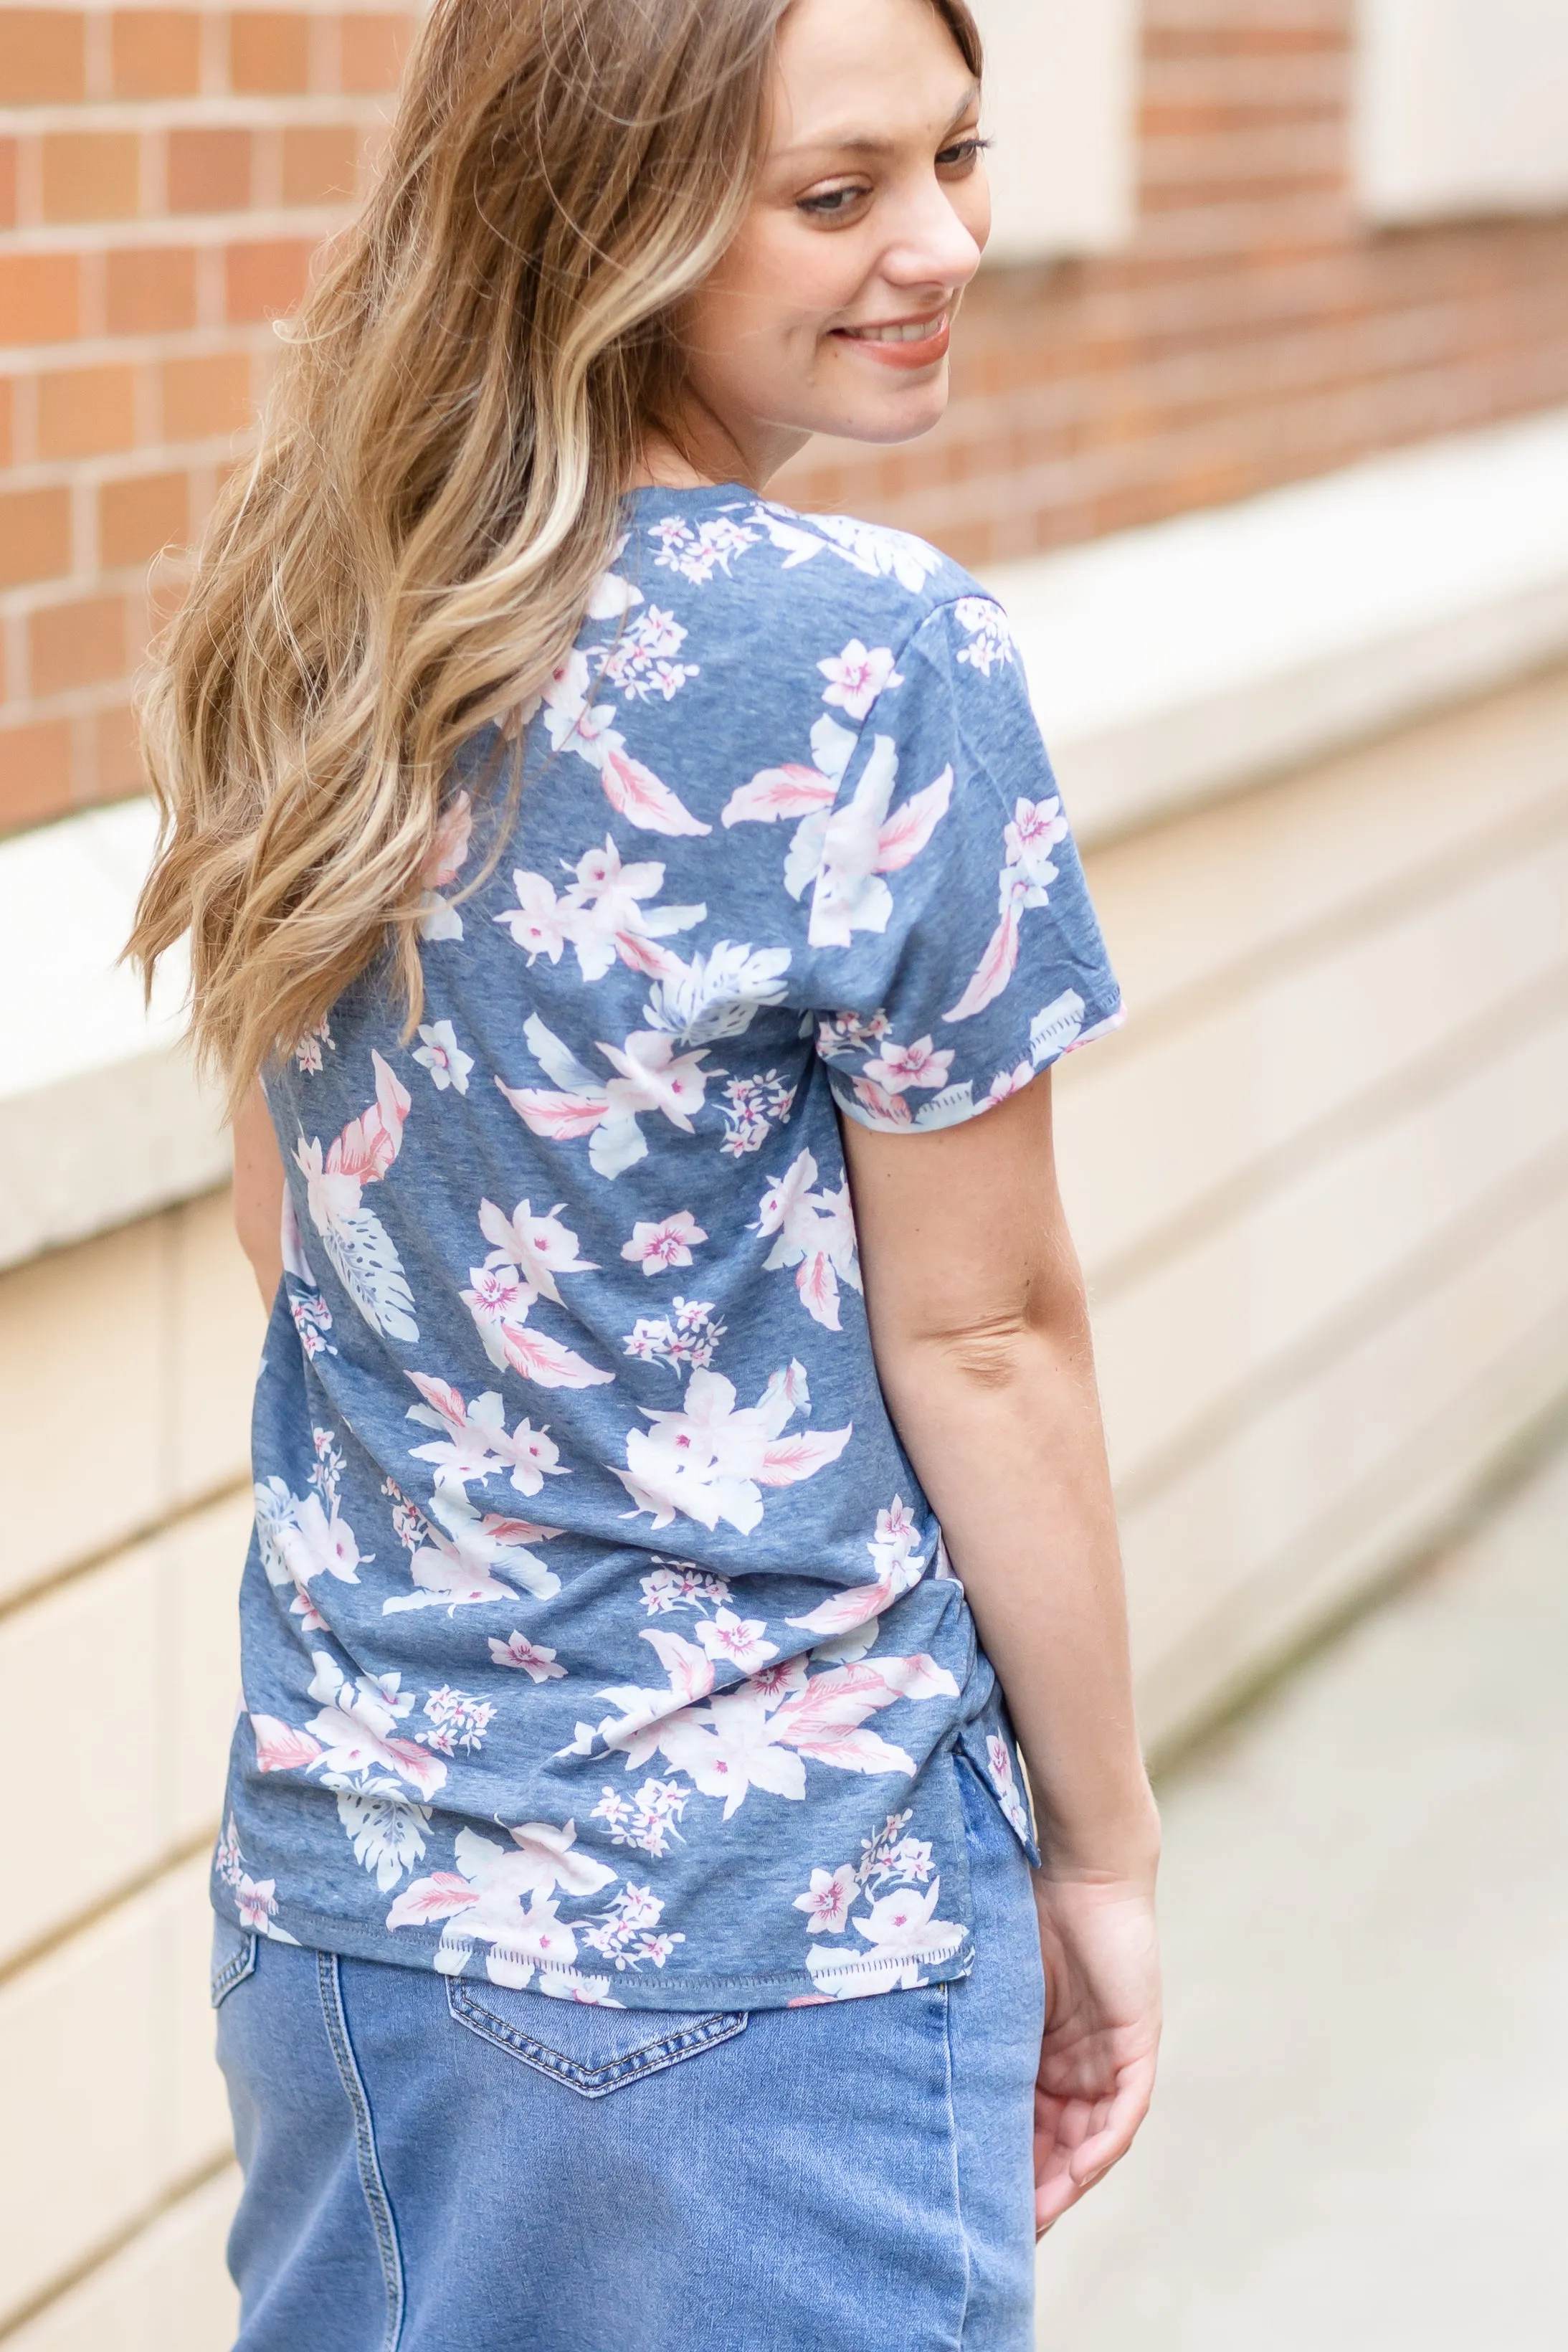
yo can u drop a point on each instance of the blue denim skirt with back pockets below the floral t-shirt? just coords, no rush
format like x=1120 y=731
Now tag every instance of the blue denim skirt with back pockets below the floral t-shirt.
x=443 y=2165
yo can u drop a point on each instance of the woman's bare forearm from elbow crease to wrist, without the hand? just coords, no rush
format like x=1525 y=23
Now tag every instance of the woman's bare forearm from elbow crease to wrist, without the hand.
x=1005 y=1436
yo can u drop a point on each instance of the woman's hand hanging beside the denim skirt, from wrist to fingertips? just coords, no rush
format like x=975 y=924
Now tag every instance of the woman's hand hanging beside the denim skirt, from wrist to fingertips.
x=1097 y=2059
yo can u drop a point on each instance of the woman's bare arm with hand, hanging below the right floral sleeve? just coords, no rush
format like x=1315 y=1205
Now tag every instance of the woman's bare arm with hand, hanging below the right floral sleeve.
x=984 y=1351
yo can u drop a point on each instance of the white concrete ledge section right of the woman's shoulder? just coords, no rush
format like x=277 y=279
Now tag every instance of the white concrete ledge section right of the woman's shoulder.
x=1191 y=660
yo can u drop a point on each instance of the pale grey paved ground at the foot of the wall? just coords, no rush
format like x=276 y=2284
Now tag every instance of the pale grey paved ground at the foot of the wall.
x=1362 y=2130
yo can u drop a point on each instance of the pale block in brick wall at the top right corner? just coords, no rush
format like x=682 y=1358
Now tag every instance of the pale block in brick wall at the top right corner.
x=1463 y=107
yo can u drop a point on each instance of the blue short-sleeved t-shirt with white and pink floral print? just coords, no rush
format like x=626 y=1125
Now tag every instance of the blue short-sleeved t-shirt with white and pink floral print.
x=596 y=1629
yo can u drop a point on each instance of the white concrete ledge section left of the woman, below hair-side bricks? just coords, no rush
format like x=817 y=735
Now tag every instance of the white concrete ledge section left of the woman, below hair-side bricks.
x=100 y=1114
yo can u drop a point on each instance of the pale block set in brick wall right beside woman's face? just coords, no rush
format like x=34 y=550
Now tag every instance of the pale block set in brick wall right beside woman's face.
x=1061 y=102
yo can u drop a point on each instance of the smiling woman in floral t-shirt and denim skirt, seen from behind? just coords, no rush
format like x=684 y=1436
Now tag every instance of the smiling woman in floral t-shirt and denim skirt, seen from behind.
x=601 y=878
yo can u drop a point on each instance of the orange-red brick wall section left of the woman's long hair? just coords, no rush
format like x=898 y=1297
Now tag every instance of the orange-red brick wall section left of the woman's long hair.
x=163 y=182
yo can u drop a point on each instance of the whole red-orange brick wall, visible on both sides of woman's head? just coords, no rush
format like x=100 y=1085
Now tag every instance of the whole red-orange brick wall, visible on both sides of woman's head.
x=163 y=178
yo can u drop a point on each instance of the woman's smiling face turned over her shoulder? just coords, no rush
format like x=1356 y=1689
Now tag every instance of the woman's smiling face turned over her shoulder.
x=831 y=312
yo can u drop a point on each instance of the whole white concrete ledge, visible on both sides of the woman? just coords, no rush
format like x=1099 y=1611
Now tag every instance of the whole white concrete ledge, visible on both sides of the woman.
x=1170 y=667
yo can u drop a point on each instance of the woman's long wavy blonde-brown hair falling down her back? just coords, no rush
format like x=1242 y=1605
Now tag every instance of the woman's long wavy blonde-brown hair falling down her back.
x=438 y=483
